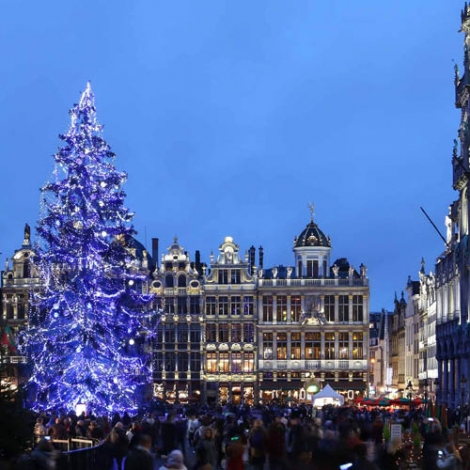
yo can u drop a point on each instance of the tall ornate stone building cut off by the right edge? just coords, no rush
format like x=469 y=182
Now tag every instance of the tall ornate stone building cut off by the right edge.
x=452 y=267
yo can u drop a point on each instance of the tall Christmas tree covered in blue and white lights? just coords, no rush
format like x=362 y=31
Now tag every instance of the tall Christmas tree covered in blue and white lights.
x=86 y=323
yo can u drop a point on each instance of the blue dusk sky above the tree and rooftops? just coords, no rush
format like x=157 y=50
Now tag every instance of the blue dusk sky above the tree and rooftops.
x=230 y=117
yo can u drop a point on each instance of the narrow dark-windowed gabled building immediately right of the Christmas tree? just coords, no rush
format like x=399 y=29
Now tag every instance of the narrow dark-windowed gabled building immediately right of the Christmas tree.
x=178 y=302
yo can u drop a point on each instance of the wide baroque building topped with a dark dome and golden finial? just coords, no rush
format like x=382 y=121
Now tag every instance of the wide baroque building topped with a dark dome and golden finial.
x=313 y=322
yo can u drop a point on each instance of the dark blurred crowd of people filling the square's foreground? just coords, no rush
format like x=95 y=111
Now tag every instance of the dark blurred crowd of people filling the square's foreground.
x=254 y=438
